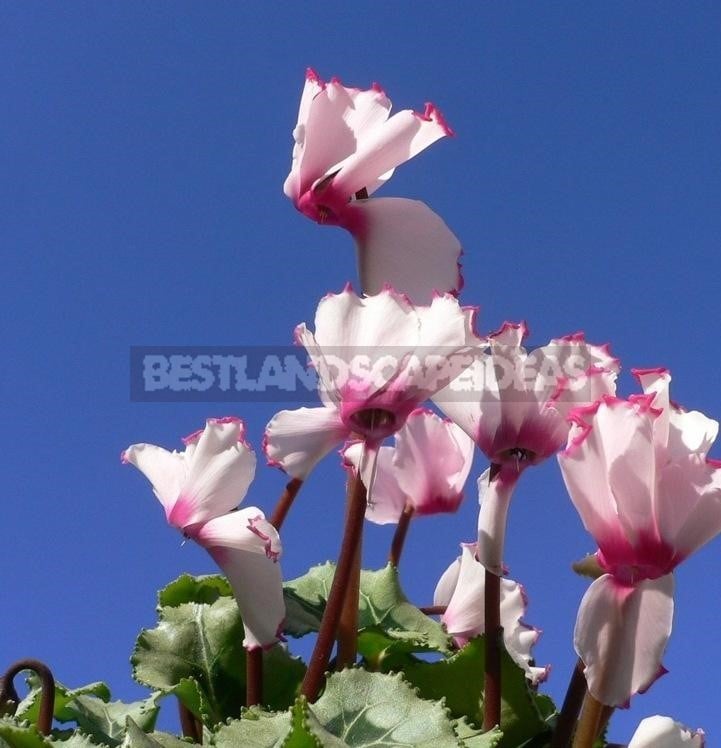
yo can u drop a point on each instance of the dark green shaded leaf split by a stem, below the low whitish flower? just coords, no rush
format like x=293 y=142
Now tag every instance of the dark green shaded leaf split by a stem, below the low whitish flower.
x=459 y=679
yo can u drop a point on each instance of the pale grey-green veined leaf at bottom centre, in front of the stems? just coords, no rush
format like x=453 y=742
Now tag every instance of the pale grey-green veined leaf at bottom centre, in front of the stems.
x=364 y=709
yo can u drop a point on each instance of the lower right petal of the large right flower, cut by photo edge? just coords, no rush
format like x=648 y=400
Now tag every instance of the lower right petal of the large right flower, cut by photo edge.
x=689 y=504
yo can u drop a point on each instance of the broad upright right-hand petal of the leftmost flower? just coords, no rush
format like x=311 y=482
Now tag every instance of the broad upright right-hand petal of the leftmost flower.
x=220 y=470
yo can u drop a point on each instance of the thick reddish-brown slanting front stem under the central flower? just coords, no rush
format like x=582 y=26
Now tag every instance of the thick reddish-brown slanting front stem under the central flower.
x=352 y=536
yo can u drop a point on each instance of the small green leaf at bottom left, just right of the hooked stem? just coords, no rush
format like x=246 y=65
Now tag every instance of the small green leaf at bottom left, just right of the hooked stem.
x=105 y=721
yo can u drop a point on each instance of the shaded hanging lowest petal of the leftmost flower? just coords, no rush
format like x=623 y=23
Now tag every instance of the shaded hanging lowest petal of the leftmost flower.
x=258 y=589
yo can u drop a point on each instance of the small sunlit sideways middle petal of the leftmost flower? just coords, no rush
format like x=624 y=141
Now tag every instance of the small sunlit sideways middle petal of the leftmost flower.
x=244 y=530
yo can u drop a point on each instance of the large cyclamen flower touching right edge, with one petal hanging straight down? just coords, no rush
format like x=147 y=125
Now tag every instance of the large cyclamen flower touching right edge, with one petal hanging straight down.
x=638 y=474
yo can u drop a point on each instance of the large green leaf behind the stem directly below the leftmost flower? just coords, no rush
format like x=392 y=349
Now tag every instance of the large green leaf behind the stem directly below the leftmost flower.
x=196 y=652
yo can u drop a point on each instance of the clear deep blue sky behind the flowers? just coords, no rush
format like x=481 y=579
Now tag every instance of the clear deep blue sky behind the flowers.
x=143 y=150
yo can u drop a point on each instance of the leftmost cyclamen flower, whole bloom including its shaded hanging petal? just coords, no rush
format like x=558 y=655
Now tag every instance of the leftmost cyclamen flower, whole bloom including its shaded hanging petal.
x=199 y=488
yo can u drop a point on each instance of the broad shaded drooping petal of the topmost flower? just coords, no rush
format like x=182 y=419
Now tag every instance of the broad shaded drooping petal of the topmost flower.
x=403 y=243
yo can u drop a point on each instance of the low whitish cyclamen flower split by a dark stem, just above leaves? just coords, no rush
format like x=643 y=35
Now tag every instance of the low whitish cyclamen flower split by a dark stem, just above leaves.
x=461 y=589
